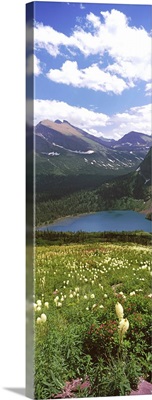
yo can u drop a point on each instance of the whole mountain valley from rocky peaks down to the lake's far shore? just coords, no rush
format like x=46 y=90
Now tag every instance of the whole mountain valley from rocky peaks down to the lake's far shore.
x=79 y=173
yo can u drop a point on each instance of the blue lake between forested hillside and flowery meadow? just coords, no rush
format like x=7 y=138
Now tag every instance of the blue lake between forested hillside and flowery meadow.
x=102 y=221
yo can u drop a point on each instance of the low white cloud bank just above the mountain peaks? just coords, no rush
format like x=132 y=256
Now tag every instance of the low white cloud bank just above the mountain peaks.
x=115 y=126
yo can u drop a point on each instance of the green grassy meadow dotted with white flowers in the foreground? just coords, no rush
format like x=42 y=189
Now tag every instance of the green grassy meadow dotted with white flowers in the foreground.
x=78 y=334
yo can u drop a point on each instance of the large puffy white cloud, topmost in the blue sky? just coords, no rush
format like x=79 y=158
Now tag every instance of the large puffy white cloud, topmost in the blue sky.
x=129 y=47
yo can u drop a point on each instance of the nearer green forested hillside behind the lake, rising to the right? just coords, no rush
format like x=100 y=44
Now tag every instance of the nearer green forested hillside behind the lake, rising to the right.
x=131 y=191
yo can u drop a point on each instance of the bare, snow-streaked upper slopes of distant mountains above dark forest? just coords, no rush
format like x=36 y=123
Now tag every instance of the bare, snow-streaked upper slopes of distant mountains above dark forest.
x=73 y=149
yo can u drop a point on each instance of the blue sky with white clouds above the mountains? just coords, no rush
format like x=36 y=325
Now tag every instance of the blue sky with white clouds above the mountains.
x=92 y=66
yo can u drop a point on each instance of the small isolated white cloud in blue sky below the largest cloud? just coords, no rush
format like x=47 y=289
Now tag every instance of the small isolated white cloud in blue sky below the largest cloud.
x=92 y=78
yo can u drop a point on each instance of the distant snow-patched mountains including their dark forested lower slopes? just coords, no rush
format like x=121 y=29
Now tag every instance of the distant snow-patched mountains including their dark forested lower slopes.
x=70 y=160
